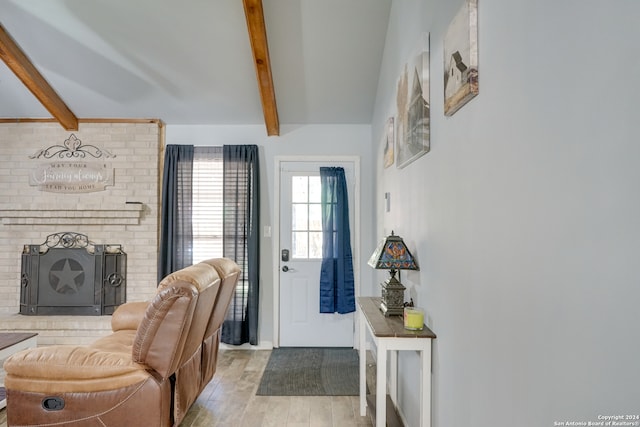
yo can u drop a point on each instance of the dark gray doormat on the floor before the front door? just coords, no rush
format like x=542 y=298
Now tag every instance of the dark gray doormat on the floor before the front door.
x=310 y=372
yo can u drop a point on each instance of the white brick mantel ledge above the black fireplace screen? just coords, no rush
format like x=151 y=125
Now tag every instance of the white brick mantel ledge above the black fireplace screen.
x=125 y=214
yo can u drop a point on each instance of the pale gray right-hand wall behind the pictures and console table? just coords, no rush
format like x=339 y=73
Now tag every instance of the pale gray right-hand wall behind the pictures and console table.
x=525 y=215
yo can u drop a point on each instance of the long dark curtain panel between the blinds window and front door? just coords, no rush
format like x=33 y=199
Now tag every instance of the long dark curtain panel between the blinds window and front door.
x=241 y=240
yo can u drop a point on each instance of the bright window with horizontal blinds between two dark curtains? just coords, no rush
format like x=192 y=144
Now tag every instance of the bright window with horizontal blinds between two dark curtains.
x=207 y=203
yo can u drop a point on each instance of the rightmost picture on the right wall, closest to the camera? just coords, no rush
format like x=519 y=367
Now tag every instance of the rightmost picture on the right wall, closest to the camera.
x=461 y=58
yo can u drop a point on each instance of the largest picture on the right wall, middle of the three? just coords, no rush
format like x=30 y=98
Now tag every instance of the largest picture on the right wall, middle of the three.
x=413 y=126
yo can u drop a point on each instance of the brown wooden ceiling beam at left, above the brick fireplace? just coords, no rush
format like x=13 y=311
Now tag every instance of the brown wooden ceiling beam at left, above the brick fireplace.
x=22 y=67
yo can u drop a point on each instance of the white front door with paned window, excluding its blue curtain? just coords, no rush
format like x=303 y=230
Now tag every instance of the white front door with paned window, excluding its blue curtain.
x=300 y=255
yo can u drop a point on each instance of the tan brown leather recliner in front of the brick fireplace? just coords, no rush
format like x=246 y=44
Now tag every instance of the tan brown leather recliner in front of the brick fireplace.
x=147 y=372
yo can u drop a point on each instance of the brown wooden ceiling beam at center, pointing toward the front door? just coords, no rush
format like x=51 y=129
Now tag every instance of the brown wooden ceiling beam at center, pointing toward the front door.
x=258 y=35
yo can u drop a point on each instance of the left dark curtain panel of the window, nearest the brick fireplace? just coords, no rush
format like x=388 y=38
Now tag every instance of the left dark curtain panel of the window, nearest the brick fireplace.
x=176 y=230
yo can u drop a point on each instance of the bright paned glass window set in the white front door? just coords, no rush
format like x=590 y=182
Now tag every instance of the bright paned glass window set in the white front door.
x=306 y=217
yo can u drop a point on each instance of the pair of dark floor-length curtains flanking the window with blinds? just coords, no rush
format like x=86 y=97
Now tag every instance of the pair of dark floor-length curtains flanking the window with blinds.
x=241 y=219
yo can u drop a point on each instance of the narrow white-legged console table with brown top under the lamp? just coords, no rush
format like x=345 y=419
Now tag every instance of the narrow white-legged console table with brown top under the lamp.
x=389 y=334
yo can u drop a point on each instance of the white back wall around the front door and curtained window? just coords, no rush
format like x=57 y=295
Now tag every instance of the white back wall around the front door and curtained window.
x=311 y=140
